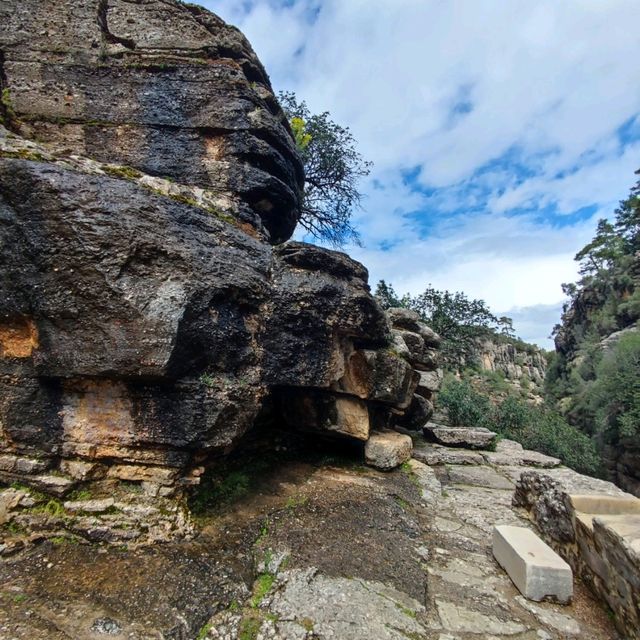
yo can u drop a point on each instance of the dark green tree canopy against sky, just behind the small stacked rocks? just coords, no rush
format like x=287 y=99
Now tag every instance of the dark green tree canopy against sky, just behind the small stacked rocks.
x=458 y=320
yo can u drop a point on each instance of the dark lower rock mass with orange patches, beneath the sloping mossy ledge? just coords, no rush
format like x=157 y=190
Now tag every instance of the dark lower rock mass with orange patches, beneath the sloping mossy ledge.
x=140 y=328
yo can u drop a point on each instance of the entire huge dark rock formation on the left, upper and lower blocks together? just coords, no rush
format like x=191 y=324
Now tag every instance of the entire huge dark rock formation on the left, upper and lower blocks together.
x=148 y=315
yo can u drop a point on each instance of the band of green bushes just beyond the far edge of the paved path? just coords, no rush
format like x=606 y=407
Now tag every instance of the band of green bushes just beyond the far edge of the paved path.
x=539 y=428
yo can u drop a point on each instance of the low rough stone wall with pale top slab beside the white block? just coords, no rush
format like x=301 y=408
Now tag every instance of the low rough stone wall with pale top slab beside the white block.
x=597 y=534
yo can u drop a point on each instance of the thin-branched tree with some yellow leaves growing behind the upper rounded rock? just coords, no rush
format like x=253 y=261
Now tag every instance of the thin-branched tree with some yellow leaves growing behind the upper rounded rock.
x=332 y=169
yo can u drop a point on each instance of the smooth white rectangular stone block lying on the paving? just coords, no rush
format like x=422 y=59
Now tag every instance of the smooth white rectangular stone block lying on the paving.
x=533 y=566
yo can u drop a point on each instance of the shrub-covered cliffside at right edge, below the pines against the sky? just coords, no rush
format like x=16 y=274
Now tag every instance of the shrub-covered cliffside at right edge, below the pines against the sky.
x=587 y=375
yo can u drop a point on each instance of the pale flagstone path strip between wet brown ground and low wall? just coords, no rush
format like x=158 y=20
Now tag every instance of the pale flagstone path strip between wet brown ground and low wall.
x=469 y=594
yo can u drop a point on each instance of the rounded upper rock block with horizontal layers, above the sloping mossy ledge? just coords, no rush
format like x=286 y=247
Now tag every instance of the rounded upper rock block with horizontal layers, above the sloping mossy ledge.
x=167 y=88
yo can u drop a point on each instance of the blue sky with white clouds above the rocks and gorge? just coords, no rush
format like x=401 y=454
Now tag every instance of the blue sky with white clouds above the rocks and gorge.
x=500 y=132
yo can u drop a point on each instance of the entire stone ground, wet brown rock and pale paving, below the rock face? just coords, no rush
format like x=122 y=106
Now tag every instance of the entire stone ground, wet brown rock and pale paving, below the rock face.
x=318 y=551
